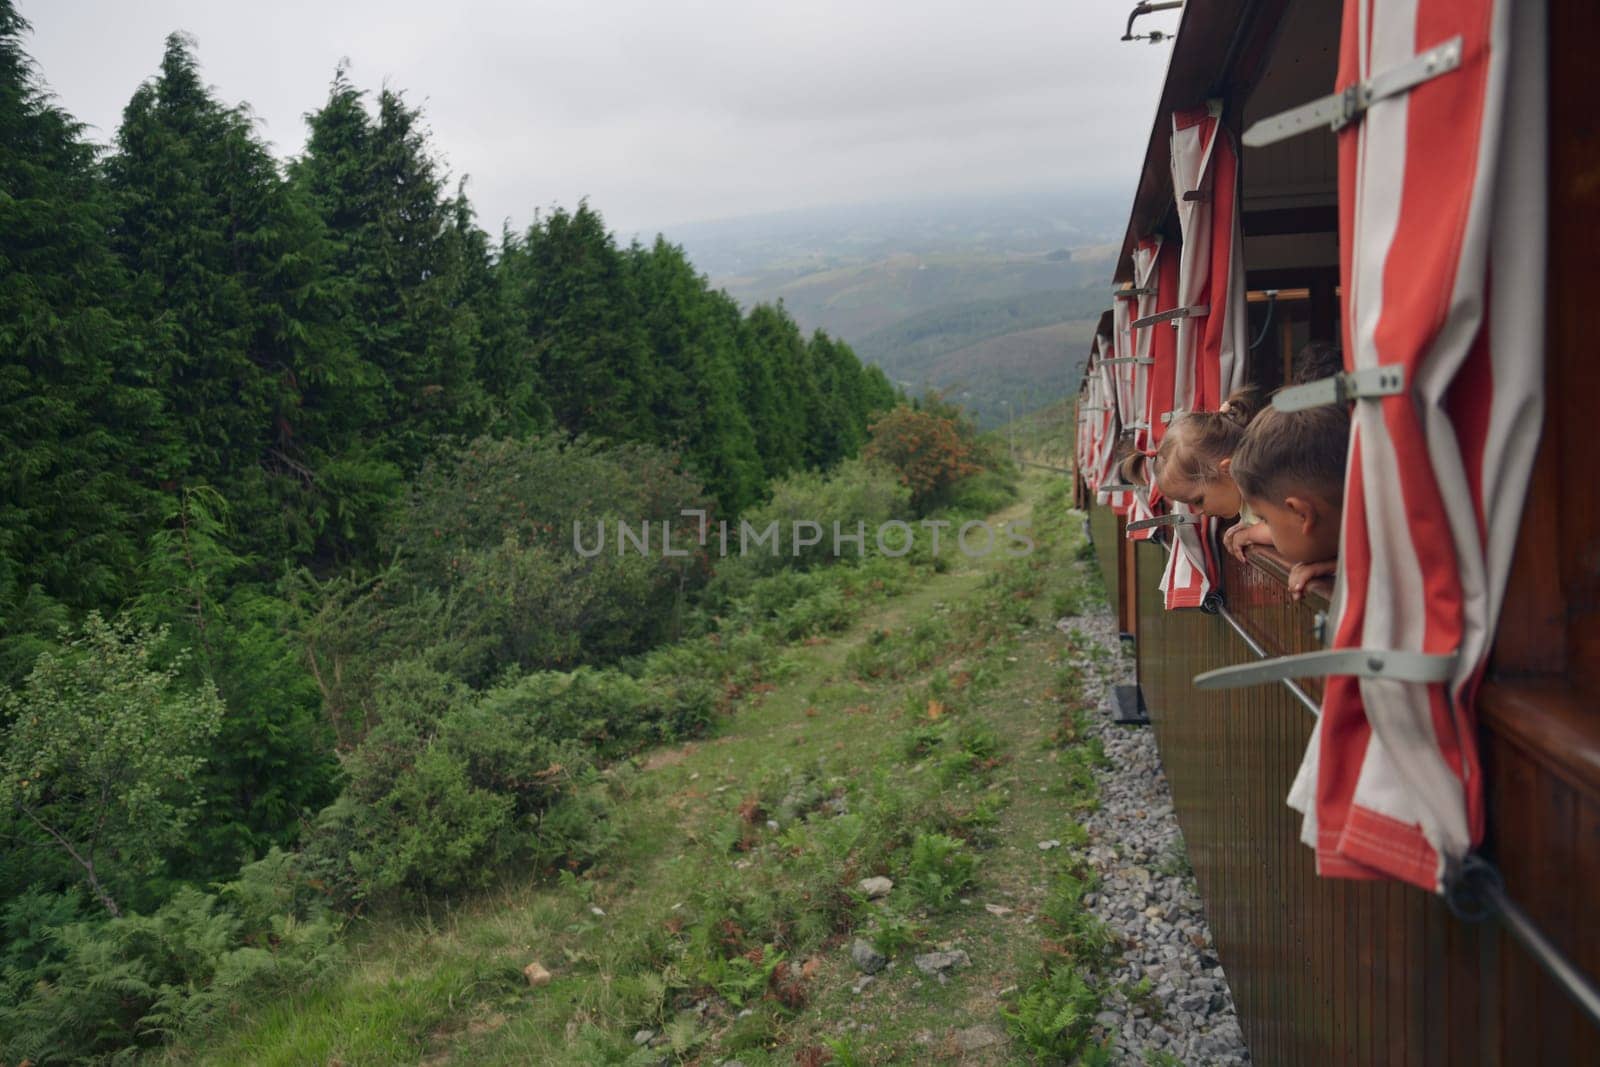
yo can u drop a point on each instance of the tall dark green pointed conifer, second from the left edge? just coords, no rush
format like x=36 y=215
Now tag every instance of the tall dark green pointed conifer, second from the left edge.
x=230 y=276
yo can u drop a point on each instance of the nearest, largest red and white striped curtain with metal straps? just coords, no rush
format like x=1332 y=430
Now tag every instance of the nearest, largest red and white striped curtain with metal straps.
x=1436 y=185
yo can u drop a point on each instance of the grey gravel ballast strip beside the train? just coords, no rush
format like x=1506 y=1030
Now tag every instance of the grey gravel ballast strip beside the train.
x=1148 y=895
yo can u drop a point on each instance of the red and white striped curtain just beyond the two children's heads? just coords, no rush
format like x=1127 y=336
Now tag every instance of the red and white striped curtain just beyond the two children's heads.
x=1210 y=345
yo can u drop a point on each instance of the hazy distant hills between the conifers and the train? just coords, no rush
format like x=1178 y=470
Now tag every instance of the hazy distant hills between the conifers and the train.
x=990 y=302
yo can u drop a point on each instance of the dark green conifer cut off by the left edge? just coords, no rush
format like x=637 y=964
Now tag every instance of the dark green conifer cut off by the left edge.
x=74 y=406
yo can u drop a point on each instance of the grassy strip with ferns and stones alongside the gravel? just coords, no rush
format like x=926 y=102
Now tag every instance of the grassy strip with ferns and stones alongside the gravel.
x=934 y=743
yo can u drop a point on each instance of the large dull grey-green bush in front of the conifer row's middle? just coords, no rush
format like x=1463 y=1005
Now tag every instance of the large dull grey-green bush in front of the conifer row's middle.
x=489 y=578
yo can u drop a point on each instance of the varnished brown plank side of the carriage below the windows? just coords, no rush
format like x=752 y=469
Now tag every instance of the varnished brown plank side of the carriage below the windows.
x=1358 y=973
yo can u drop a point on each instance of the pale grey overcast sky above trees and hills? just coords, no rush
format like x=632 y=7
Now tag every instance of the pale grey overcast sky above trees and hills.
x=668 y=111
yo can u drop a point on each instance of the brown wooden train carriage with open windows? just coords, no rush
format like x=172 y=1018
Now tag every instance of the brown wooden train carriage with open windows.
x=1350 y=972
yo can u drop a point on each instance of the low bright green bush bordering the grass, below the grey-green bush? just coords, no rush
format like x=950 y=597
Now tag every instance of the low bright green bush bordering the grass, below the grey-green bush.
x=454 y=785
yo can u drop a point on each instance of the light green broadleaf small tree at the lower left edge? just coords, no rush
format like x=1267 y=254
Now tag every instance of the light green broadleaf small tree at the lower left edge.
x=102 y=753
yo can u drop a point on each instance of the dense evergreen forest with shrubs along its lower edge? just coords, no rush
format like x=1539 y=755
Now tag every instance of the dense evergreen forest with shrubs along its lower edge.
x=281 y=446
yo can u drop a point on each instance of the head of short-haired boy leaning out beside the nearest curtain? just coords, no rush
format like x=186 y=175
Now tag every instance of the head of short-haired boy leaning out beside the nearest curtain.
x=1290 y=470
